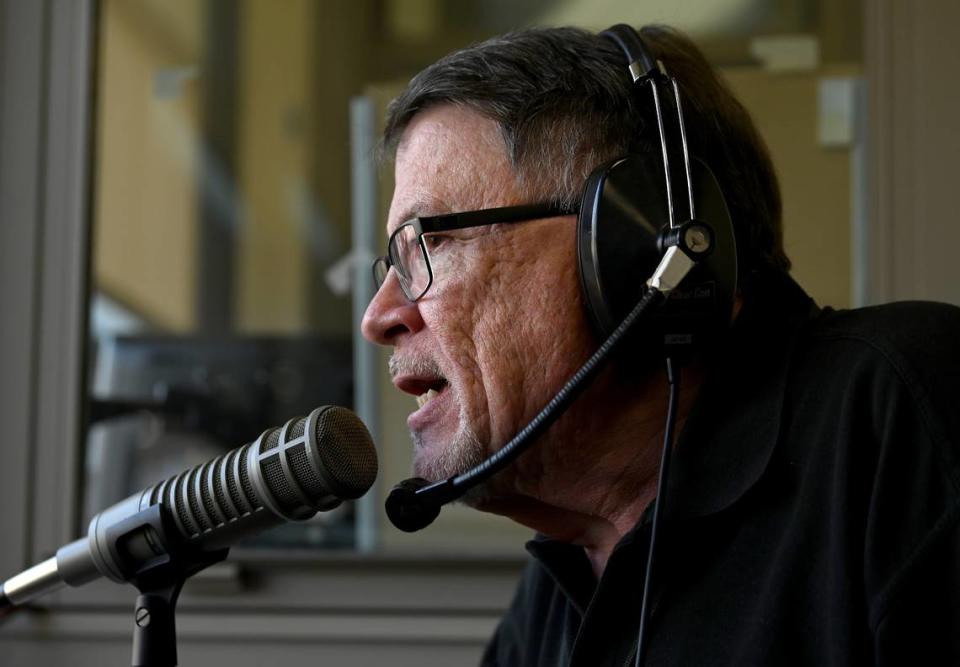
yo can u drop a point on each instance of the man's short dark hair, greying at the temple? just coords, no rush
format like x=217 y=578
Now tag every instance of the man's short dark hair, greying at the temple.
x=564 y=104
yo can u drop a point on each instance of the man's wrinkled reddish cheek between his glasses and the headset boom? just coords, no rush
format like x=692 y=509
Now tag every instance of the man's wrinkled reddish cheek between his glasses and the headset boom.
x=510 y=322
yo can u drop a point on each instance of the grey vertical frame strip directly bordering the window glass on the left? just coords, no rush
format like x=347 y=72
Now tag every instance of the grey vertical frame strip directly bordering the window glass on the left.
x=63 y=179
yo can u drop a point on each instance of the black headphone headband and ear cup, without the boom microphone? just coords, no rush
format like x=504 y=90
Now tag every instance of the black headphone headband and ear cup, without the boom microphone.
x=630 y=203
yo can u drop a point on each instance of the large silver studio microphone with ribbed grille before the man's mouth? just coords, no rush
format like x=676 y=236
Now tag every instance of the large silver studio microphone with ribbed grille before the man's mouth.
x=308 y=465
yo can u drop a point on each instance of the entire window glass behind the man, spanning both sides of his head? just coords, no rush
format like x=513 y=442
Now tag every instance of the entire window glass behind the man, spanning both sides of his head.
x=221 y=300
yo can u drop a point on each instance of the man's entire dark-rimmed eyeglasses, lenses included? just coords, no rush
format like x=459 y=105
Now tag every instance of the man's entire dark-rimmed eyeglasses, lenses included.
x=408 y=254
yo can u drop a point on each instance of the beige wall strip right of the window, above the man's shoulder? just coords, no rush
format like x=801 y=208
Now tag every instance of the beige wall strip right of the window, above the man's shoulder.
x=914 y=142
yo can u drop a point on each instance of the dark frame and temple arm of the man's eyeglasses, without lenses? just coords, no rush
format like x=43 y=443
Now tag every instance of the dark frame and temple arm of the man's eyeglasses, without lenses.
x=450 y=221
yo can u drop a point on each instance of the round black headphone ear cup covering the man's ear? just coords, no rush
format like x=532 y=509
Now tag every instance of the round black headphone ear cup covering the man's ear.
x=624 y=208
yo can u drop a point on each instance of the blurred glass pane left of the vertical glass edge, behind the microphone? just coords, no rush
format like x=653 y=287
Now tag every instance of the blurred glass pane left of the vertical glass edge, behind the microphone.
x=221 y=226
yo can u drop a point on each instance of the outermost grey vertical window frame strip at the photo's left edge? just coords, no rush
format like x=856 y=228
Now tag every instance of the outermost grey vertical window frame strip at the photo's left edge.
x=22 y=26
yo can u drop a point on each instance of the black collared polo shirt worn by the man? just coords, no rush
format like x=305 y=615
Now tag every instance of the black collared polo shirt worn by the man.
x=812 y=510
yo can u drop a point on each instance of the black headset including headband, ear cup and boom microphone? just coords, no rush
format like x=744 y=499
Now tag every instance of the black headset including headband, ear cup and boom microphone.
x=647 y=221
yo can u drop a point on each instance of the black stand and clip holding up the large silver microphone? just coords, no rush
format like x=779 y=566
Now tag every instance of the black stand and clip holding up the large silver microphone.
x=159 y=579
